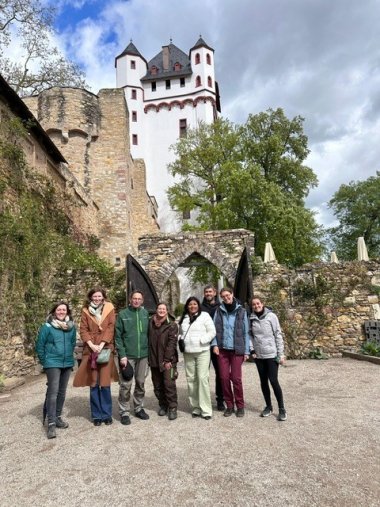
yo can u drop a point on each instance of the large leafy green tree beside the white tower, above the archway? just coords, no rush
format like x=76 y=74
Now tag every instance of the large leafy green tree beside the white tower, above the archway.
x=251 y=177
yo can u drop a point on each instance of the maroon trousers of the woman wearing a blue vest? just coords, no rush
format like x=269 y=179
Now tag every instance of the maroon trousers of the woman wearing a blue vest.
x=230 y=372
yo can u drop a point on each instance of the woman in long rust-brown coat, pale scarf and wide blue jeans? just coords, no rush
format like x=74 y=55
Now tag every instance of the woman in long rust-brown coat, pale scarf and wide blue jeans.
x=97 y=333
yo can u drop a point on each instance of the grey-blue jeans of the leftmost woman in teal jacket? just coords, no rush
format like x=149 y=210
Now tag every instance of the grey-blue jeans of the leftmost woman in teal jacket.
x=57 y=378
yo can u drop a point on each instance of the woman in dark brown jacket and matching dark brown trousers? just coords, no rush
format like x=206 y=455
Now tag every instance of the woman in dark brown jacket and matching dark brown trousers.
x=163 y=358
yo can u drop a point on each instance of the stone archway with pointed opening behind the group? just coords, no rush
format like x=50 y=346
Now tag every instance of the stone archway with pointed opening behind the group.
x=161 y=254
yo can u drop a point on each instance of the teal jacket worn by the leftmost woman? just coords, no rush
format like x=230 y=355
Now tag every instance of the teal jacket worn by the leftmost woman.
x=55 y=347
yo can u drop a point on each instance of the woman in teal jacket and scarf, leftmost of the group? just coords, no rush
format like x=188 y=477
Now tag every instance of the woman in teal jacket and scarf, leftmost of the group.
x=55 y=351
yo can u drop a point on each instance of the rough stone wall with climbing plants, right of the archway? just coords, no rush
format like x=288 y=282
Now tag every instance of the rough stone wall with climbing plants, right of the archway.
x=334 y=321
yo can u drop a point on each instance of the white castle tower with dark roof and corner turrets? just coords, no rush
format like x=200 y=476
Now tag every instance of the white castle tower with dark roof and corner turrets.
x=166 y=96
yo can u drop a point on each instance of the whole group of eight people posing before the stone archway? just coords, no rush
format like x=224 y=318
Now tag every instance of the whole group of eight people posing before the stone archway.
x=123 y=348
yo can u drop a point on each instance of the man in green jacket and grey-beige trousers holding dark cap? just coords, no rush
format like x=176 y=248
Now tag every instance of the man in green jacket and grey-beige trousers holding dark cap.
x=131 y=337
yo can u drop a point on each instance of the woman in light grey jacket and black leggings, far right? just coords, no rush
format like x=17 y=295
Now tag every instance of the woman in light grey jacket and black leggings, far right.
x=267 y=348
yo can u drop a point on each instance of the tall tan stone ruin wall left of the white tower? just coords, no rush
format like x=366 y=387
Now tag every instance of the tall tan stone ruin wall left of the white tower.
x=92 y=132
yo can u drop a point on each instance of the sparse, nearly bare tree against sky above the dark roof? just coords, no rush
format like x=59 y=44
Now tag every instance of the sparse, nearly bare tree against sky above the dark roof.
x=41 y=65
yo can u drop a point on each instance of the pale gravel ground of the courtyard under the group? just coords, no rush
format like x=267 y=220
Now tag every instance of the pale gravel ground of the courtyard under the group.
x=326 y=454
